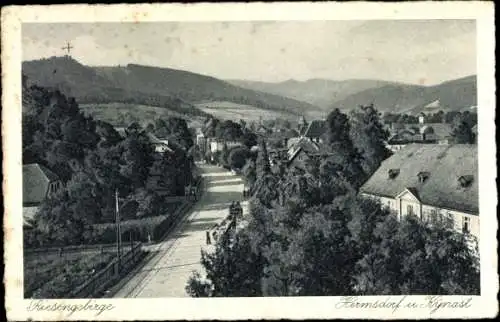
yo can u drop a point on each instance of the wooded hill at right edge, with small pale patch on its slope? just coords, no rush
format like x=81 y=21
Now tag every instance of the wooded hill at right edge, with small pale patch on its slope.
x=455 y=95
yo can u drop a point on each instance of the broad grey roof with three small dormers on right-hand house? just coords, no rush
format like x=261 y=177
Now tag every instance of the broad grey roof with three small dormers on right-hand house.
x=445 y=165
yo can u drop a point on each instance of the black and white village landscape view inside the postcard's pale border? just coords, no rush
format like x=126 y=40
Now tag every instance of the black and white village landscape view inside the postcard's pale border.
x=251 y=158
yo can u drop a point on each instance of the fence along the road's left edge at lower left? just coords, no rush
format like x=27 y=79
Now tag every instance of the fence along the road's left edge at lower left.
x=109 y=275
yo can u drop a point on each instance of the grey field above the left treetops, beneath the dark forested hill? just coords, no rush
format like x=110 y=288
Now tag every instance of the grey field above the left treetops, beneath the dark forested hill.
x=122 y=114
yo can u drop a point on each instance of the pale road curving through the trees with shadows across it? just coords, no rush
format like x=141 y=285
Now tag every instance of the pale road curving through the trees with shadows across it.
x=166 y=274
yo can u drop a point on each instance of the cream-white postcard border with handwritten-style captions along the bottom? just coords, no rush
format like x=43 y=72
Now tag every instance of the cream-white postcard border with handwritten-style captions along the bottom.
x=485 y=305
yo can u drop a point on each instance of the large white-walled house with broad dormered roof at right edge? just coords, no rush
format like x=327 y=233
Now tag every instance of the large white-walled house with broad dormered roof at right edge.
x=434 y=182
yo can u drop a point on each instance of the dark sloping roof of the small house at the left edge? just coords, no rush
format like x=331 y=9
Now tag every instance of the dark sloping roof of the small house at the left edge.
x=36 y=178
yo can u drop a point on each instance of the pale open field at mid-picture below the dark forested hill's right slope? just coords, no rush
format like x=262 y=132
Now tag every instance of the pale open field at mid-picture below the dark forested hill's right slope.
x=232 y=111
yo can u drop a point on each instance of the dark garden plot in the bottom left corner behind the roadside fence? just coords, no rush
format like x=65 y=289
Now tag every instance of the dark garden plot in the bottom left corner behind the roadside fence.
x=53 y=276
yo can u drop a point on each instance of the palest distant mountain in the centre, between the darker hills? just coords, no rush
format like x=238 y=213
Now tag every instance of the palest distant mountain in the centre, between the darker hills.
x=320 y=92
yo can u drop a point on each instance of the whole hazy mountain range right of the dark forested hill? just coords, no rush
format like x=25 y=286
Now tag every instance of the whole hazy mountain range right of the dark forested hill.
x=387 y=96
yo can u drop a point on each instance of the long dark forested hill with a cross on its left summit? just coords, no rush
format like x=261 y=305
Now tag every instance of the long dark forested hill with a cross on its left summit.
x=149 y=85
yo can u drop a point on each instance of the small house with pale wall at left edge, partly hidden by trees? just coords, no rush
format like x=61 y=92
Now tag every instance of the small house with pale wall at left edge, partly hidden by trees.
x=39 y=183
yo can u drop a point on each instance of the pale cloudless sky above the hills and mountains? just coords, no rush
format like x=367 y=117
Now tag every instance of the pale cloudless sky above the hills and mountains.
x=423 y=52
